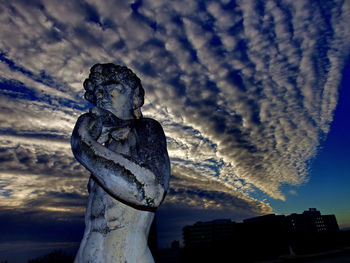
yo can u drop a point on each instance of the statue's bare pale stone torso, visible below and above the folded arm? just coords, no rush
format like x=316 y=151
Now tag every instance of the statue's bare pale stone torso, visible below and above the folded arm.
x=115 y=231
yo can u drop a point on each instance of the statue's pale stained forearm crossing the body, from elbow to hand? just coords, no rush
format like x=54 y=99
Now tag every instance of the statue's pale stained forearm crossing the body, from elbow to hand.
x=124 y=178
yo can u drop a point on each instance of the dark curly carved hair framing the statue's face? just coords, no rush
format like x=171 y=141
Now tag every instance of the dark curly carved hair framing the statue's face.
x=106 y=74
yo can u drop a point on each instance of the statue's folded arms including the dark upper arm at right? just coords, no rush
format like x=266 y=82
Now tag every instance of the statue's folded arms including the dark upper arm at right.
x=141 y=182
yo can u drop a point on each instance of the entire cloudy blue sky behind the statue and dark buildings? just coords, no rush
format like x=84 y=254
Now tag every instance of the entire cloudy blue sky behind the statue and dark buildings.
x=252 y=96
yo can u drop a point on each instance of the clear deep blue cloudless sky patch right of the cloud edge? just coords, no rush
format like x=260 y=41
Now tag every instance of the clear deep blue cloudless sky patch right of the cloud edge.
x=327 y=188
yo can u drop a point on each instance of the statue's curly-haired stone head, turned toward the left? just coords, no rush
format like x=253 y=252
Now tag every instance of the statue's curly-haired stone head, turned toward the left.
x=113 y=87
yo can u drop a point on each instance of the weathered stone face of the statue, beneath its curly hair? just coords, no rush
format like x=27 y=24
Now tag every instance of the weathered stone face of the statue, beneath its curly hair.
x=116 y=98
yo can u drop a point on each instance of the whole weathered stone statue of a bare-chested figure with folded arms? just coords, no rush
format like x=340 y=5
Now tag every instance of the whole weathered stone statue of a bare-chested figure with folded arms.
x=129 y=164
